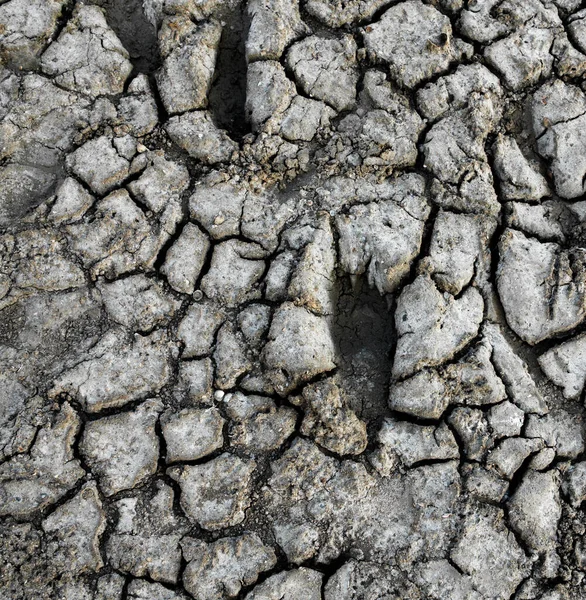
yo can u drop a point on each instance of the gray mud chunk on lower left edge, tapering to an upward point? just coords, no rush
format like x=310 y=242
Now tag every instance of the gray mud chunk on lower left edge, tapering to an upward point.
x=32 y=481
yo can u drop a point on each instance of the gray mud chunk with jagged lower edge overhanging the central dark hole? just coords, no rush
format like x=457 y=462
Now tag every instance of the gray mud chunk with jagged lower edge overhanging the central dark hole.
x=383 y=238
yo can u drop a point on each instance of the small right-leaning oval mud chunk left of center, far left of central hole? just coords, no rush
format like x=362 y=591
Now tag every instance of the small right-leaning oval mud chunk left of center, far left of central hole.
x=185 y=259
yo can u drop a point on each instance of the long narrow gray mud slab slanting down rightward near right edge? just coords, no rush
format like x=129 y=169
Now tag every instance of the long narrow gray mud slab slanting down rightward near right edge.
x=513 y=370
